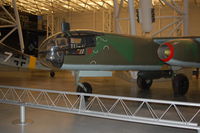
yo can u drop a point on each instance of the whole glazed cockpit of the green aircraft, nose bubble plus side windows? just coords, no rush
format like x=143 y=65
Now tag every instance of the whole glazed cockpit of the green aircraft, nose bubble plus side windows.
x=54 y=49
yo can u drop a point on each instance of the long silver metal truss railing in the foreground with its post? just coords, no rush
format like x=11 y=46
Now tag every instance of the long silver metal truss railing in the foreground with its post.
x=148 y=111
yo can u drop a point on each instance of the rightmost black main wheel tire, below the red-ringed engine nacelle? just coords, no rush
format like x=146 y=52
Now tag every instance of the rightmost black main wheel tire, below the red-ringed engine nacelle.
x=180 y=84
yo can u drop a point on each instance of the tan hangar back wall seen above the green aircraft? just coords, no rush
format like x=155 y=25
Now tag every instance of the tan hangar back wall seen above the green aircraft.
x=102 y=20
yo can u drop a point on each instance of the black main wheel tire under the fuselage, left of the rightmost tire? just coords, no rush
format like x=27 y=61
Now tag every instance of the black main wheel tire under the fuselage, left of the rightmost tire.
x=143 y=83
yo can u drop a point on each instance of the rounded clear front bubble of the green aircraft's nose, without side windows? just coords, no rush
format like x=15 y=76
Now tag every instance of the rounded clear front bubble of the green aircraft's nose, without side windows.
x=52 y=51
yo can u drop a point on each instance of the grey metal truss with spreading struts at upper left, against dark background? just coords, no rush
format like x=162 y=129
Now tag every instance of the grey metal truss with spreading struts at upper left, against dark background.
x=11 y=21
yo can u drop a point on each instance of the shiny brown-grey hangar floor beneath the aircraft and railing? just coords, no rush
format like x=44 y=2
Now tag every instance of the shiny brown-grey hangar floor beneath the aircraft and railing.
x=51 y=122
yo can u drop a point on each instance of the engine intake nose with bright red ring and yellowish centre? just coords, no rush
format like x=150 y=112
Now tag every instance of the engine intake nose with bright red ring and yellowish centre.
x=166 y=52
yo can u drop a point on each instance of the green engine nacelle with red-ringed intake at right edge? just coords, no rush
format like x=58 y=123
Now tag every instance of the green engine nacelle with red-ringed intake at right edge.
x=180 y=52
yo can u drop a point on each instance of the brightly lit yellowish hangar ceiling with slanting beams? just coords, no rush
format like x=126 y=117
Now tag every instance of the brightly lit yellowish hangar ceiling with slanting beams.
x=41 y=7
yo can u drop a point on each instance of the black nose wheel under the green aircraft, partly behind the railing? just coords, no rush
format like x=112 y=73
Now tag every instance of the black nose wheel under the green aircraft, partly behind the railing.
x=84 y=88
